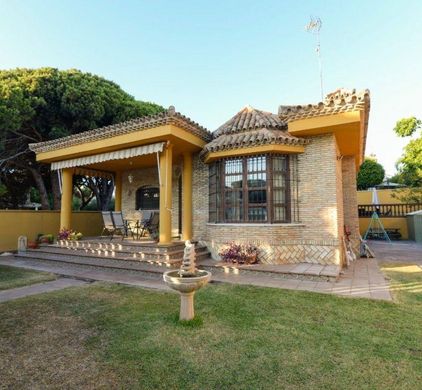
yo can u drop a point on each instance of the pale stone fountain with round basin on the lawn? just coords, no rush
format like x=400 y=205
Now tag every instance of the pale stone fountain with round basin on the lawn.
x=187 y=280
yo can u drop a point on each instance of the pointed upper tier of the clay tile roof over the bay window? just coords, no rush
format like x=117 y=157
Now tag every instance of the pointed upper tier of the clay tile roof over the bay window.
x=249 y=119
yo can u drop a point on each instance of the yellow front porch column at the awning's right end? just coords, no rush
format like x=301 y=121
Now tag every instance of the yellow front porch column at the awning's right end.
x=166 y=169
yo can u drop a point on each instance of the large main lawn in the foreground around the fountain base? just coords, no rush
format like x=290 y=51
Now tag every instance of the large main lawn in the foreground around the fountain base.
x=106 y=336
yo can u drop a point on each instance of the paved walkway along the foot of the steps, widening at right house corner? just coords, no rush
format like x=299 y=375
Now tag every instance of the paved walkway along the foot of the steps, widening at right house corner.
x=362 y=279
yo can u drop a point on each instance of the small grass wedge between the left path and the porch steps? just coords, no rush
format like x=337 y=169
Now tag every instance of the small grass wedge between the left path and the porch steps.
x=11 y=277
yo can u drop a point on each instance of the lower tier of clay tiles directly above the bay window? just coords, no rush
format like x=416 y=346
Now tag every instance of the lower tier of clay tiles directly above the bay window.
x=254 y=137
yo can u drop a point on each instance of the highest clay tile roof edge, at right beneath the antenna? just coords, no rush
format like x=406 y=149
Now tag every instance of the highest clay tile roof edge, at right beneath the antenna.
x=341 y=100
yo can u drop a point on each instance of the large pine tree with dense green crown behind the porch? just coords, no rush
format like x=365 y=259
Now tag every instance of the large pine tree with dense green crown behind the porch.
x=42 y=104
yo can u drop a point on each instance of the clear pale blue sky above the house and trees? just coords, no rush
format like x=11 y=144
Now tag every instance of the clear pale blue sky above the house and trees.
x=211 y=58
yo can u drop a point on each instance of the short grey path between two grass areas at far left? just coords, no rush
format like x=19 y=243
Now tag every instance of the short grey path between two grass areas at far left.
x=20 y=292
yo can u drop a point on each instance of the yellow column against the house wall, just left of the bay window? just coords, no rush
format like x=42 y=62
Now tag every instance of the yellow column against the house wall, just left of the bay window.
x=187 y=197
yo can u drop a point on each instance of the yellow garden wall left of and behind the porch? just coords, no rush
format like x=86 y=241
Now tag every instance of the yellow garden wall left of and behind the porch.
x=15 y=223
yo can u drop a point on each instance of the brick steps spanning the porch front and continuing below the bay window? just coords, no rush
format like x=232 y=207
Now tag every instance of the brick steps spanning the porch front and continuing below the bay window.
x=150 y=260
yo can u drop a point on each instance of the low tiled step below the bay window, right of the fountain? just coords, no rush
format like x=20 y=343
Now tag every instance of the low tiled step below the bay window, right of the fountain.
x=302 y=271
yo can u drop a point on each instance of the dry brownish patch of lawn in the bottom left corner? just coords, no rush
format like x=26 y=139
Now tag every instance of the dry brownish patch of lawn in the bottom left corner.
x=44 y=346
